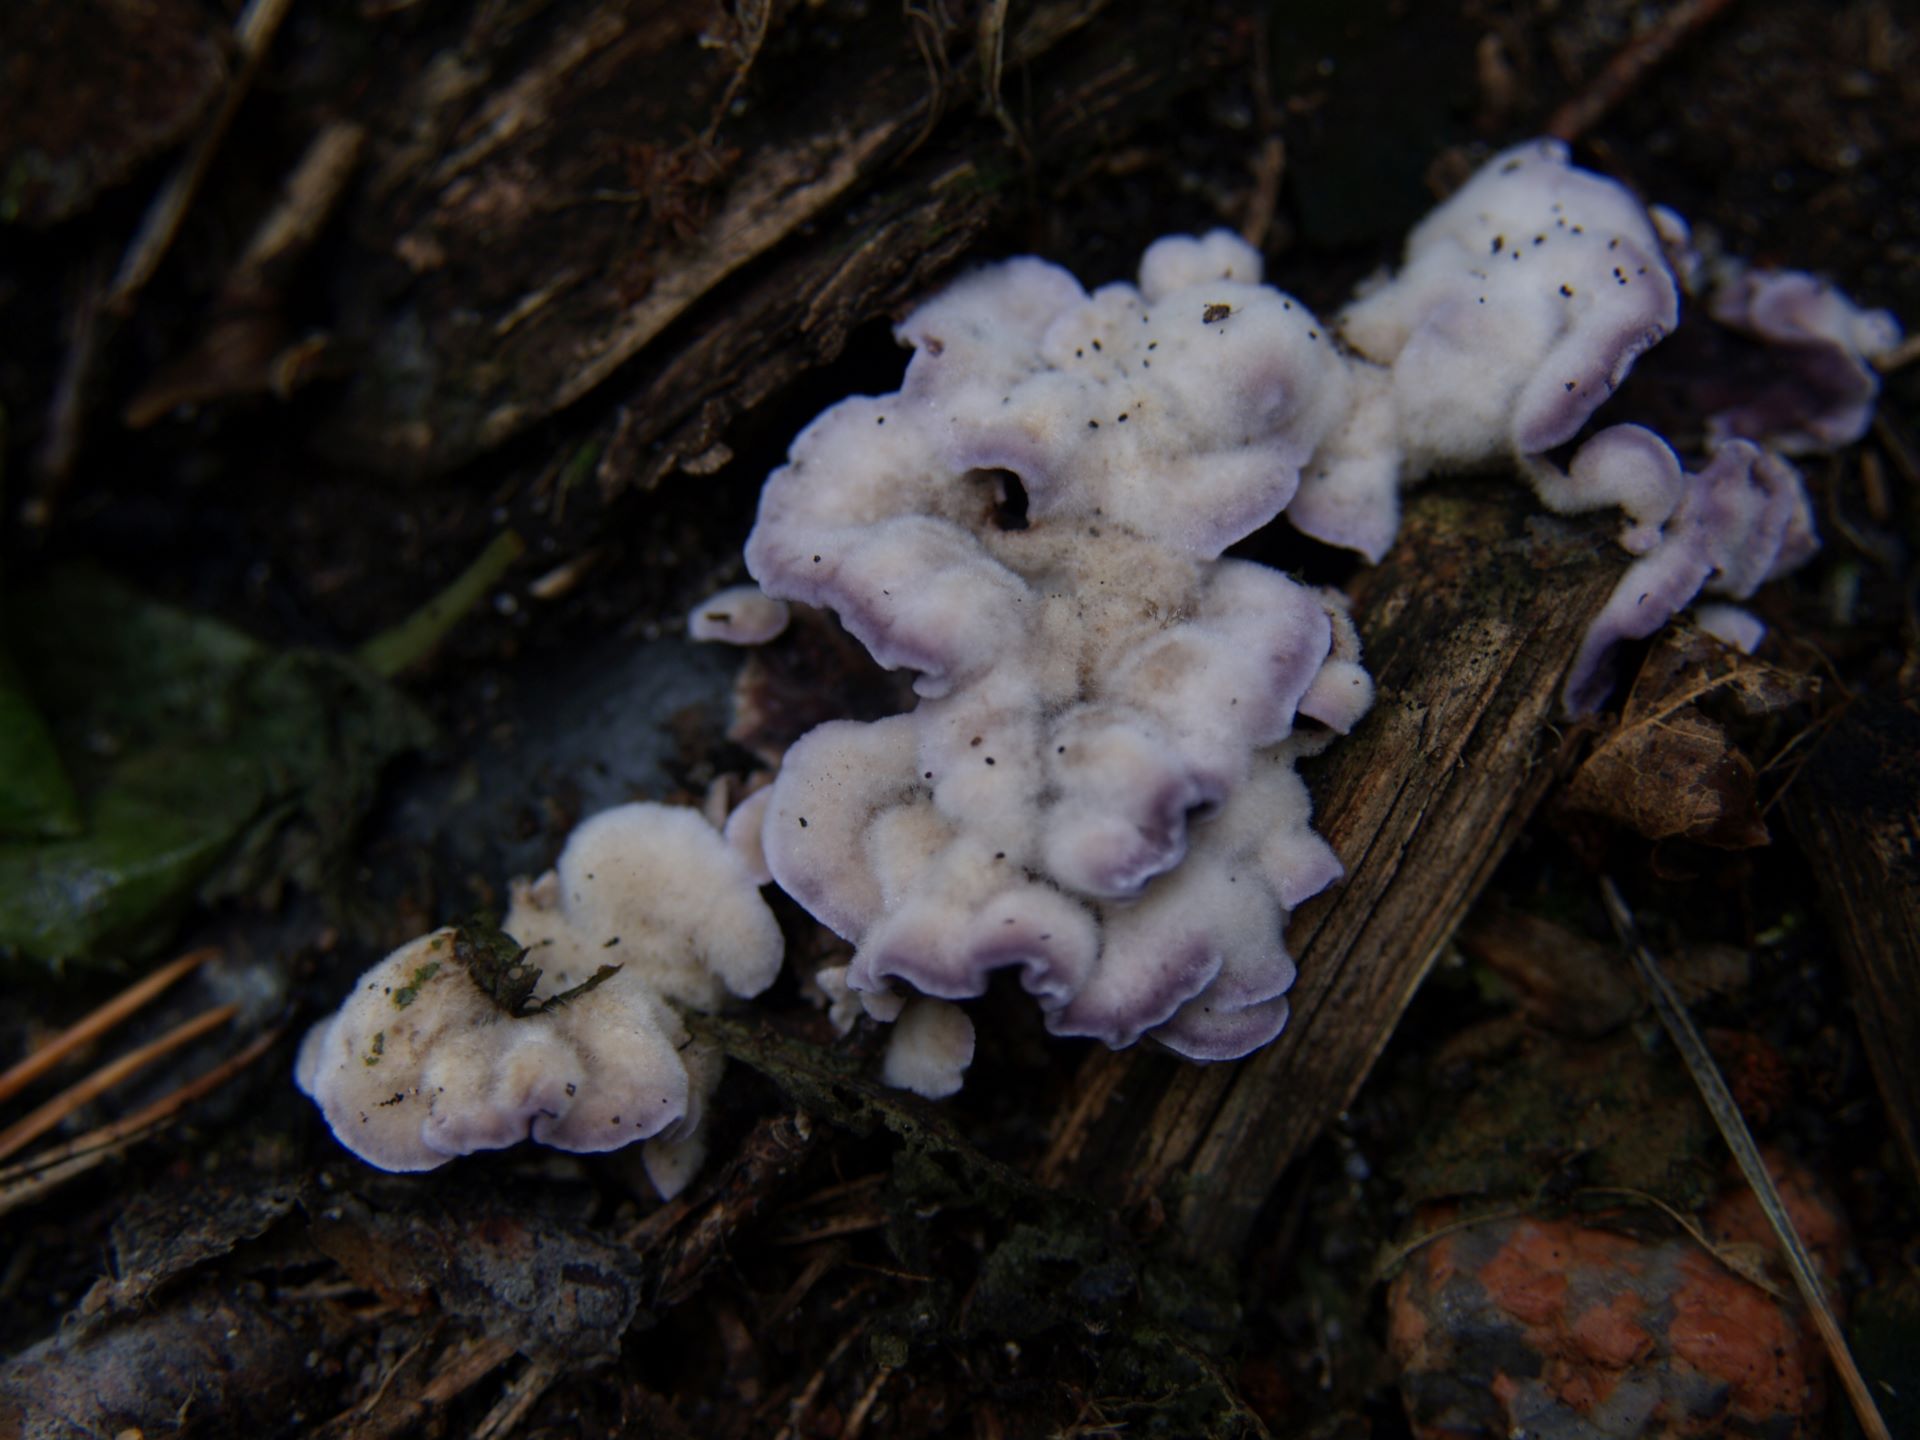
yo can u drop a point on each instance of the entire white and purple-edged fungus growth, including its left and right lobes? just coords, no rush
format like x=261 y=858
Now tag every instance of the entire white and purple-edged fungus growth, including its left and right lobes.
x=1097 y=786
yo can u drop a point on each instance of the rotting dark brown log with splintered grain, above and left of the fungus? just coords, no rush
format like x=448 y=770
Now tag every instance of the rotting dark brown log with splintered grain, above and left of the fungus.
x=594 y=251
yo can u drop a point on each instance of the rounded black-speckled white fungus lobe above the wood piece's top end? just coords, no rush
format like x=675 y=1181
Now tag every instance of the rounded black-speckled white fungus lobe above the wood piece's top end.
x=1520 y=306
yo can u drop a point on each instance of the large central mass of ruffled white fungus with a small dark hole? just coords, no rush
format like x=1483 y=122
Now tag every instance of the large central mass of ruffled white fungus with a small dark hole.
x=1097 y=786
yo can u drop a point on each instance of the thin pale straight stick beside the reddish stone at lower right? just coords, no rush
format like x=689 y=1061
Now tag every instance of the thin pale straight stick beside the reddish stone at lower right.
x=1746 y=1153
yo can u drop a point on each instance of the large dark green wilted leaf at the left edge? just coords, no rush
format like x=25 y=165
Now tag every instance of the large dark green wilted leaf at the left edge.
x=203 y=765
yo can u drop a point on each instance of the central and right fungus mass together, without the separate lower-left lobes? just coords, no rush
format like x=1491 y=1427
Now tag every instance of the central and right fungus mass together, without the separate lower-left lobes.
x=1097 y=786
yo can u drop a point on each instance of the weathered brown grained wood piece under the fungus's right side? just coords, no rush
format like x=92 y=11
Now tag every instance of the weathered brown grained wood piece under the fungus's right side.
x=1468 y=627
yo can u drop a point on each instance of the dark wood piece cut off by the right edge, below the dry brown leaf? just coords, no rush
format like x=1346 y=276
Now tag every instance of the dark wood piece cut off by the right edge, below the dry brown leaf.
x=1856 y=813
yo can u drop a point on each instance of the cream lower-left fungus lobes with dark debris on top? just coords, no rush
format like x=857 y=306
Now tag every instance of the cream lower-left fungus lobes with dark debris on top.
x=421 y=1065
